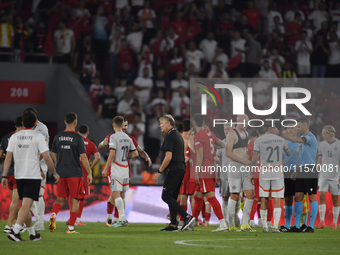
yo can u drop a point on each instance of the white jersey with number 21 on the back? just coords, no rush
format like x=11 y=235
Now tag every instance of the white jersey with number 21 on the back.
x=271 y=148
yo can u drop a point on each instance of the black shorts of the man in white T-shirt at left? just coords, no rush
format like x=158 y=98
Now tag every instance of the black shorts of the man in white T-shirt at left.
x=28 y=188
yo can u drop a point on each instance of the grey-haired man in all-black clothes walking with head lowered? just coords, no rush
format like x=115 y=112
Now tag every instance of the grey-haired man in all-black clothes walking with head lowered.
x=173 y=165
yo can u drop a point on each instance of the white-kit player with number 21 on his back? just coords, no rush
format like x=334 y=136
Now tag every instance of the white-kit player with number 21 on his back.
x=270 y=148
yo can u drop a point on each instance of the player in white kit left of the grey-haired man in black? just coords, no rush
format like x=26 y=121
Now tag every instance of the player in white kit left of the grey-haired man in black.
x=120 y=145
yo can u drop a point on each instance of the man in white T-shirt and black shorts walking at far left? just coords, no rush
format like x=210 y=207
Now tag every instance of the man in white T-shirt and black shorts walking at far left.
x=24 y=148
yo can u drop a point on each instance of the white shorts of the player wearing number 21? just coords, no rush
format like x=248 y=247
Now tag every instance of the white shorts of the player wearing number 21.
x=274 y=187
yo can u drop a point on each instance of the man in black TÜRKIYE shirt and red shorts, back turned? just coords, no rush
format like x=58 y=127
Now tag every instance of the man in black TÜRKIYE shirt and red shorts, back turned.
x=67 y=147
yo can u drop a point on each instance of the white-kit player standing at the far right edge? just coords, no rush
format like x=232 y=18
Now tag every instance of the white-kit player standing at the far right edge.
x=329 y=176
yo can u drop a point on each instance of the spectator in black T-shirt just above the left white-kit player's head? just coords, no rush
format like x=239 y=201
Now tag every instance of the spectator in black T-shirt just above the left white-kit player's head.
x=107 y=105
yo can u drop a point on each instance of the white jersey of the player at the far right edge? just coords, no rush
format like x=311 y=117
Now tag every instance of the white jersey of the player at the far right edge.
x=330 y=153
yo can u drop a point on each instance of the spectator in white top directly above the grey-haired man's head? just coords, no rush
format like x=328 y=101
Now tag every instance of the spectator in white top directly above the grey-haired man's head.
x=180 y=105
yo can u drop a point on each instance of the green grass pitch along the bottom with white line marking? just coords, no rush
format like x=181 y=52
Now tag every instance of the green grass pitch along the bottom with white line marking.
x=96 y=238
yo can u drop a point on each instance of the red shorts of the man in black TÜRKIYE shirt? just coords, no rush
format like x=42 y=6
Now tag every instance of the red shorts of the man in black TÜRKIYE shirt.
x=72 y=187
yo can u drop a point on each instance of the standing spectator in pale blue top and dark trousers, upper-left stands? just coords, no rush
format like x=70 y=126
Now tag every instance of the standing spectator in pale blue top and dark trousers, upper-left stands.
x=100 y=39
